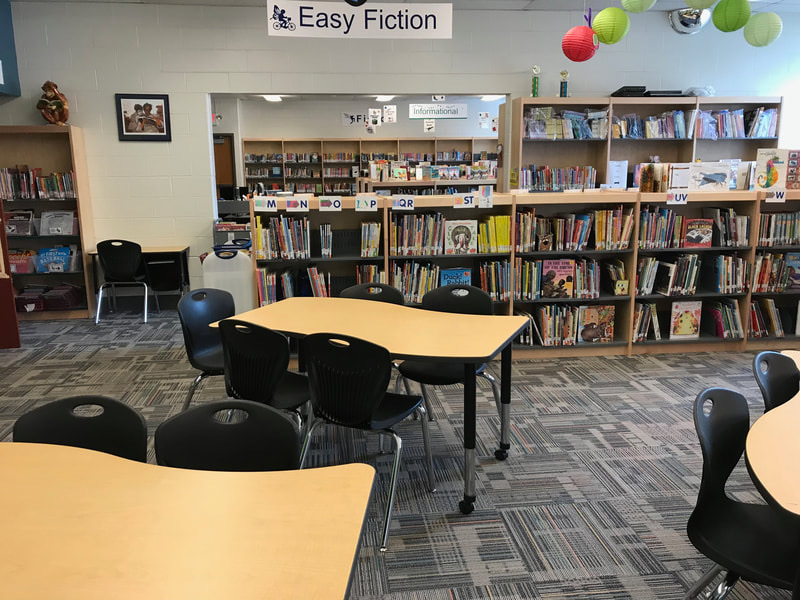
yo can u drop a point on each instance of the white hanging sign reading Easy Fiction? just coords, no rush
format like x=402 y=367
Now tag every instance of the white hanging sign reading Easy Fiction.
x=291 y=18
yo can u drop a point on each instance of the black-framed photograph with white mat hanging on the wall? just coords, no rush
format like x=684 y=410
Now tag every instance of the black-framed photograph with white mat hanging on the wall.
x=143 y=117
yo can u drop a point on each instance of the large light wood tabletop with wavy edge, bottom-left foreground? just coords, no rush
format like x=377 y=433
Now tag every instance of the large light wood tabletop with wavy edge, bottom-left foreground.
x=83 y=525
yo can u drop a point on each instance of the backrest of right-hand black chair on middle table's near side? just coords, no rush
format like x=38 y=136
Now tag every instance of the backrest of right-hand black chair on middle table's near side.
x=347 y=376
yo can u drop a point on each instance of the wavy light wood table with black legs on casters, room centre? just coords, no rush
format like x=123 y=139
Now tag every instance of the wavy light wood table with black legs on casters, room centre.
x=412 y=333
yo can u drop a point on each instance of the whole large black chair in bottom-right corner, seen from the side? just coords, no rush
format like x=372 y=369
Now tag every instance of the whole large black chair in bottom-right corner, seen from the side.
x=753 y=542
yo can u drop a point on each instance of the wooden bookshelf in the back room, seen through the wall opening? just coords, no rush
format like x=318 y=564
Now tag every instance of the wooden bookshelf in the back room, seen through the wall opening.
x=333 y=166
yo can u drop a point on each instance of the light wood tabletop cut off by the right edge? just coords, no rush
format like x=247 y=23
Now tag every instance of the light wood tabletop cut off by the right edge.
x=773 y=453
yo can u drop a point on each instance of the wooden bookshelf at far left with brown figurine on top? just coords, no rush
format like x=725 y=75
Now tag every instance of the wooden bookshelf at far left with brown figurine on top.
x=54 y=150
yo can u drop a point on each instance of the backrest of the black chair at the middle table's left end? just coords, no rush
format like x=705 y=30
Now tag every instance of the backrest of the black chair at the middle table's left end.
x=196 y=310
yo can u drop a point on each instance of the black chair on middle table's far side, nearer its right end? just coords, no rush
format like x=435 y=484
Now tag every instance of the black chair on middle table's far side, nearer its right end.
x=455 y=298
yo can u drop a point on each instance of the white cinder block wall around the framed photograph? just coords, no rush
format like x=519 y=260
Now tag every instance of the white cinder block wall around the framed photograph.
x=161 y=193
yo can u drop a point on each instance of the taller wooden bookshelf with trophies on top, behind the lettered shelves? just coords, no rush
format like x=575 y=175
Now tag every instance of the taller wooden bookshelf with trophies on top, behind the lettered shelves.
x=522 y=150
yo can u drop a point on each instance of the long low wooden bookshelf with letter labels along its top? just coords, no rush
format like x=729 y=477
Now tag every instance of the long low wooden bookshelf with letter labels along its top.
x=753 y=205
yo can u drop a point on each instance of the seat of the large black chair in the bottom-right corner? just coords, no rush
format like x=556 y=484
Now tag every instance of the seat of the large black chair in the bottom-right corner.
x=759 y=551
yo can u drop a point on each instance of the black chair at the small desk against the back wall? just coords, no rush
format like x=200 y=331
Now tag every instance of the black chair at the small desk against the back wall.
x=122 y=265
